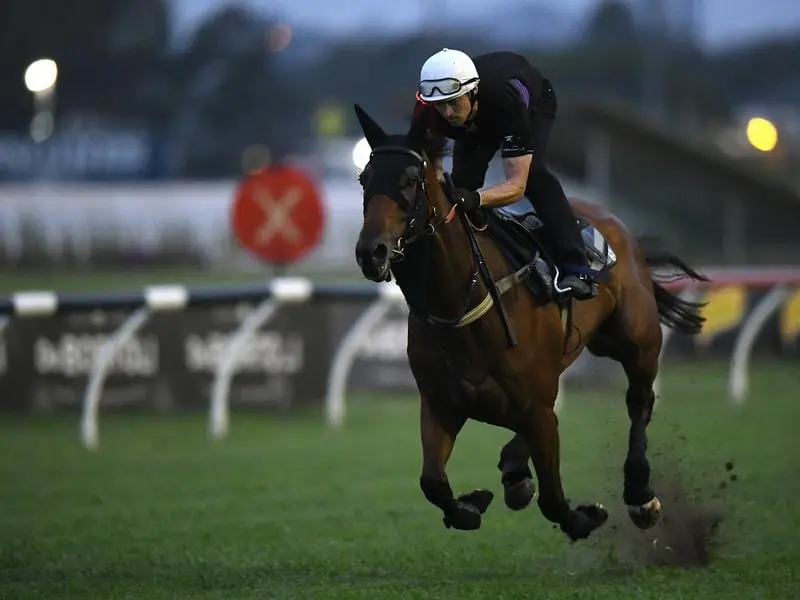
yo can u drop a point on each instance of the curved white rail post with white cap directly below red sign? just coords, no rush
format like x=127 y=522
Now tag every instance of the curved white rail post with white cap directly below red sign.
x=282 y=290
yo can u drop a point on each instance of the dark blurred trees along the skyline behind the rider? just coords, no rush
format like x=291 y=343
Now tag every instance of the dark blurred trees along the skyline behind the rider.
x=224 y=90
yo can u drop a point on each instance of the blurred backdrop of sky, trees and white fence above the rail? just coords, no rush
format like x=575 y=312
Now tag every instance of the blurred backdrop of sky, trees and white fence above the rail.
x=124 y=146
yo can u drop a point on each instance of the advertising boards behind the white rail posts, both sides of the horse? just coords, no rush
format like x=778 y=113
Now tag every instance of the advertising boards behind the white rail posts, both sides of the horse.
x=169 y=364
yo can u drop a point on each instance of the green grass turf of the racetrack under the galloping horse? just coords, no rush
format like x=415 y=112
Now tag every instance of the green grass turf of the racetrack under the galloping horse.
x=287 y=509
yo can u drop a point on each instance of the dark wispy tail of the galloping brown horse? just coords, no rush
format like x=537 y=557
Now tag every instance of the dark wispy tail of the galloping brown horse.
x=675 y=312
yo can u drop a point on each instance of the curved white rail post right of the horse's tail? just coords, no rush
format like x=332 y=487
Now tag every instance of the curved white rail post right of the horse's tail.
x=739 y=378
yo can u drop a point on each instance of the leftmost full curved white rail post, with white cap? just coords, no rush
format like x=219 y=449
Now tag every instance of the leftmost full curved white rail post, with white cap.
x=156 y=298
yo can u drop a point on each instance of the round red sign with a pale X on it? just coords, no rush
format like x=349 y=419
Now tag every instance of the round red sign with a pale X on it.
x=278 y=214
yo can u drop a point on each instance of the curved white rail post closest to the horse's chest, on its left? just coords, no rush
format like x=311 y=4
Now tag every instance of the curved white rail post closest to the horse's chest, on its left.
x=389 y=294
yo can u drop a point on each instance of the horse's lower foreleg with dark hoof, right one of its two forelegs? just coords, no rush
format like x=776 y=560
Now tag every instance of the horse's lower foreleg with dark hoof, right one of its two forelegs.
x=543 y=440
